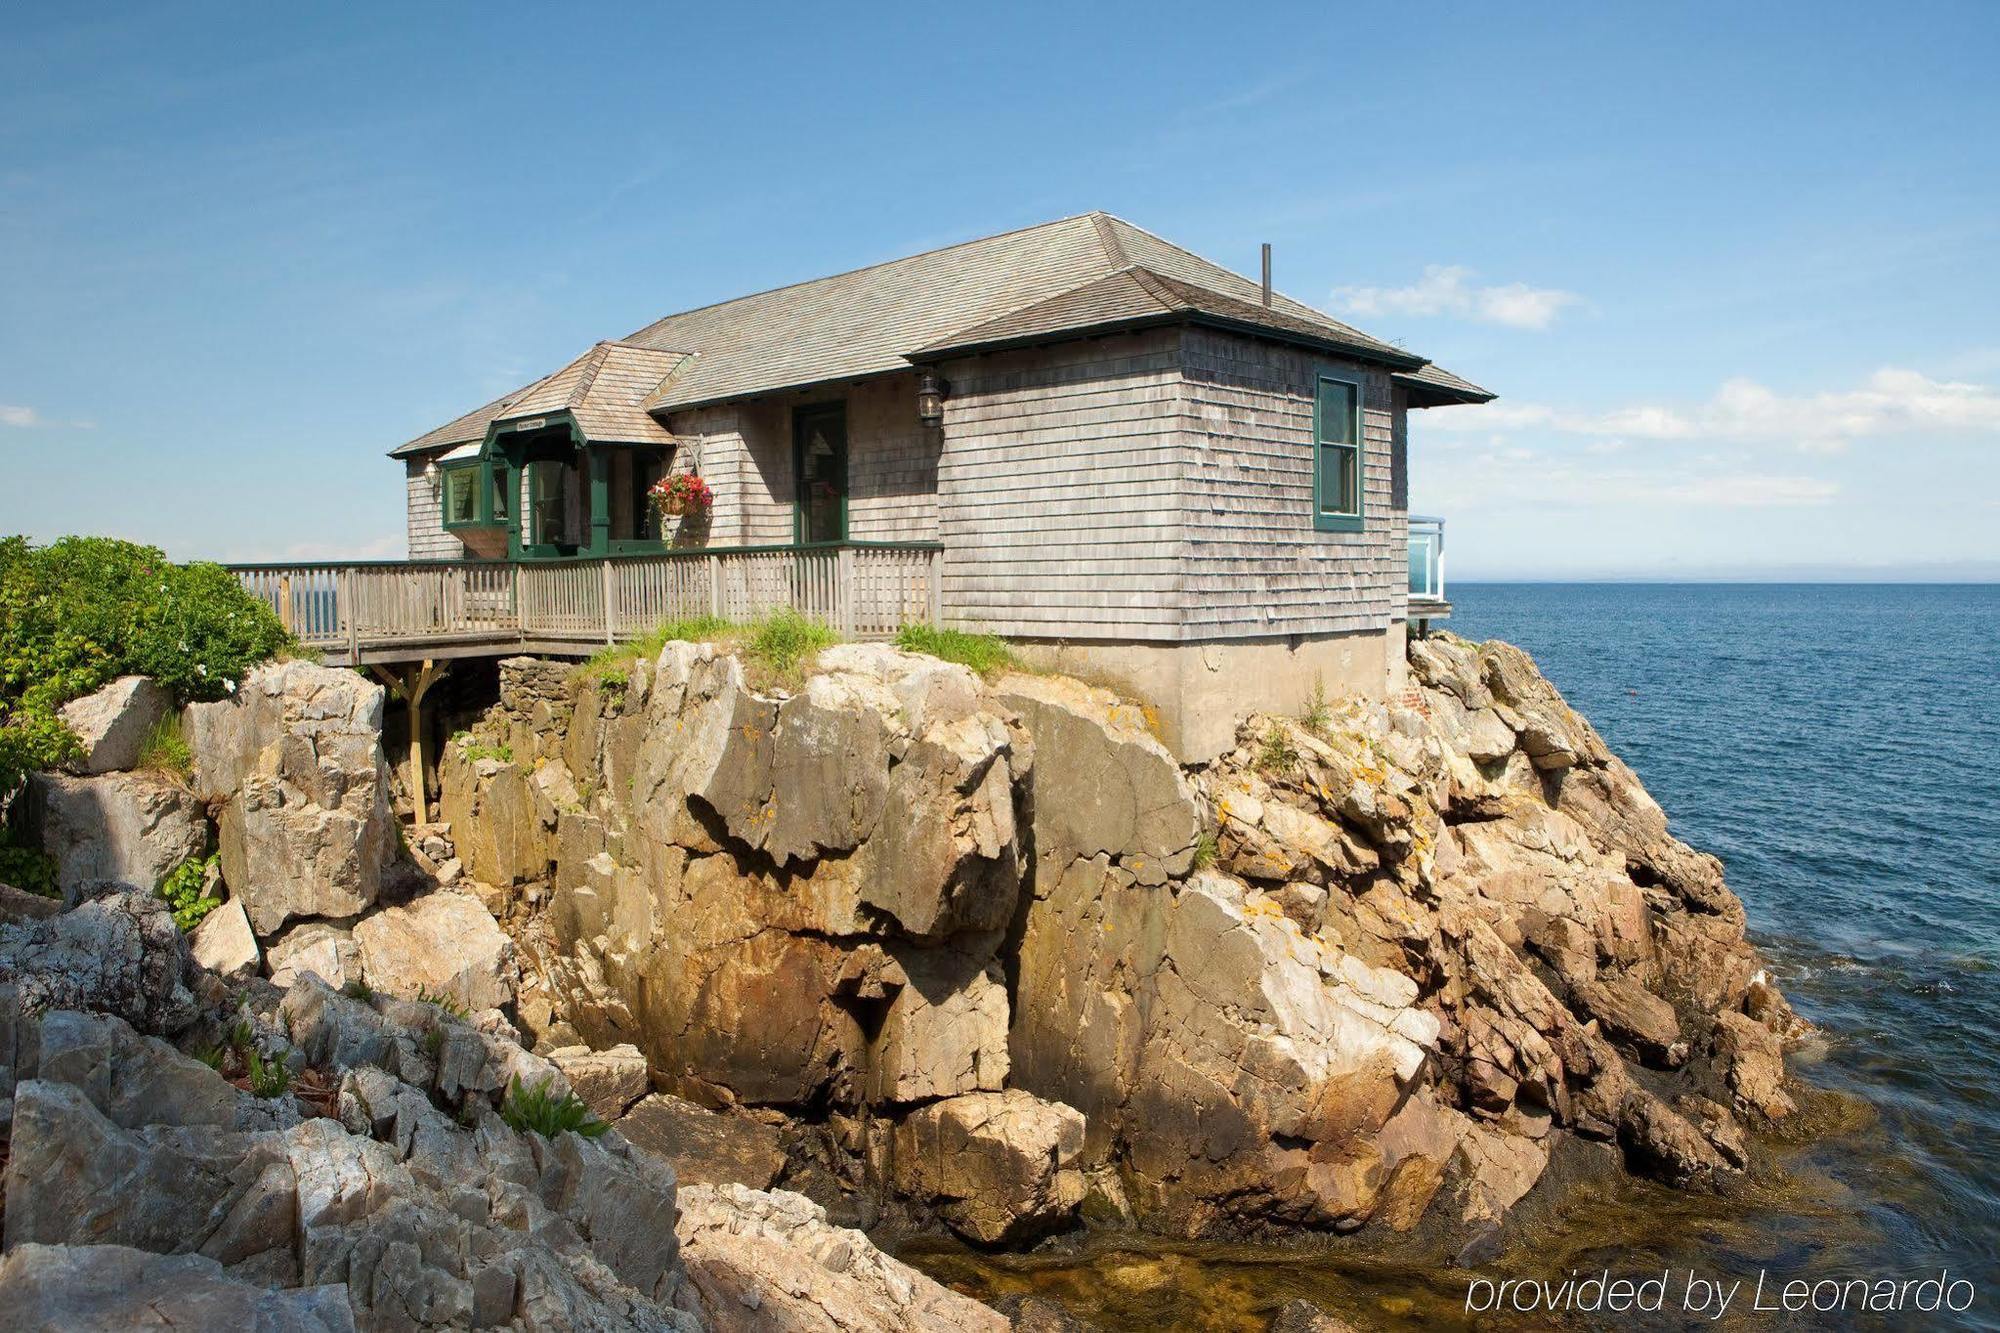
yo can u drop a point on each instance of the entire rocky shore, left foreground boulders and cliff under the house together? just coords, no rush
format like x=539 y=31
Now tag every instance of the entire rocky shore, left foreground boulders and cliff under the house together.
x=895 y=948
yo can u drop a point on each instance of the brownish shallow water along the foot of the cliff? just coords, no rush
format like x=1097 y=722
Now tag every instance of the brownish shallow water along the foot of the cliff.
x=1789 y=1218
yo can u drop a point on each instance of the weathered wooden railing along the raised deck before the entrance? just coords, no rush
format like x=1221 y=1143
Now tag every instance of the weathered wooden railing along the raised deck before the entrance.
x=373 y=611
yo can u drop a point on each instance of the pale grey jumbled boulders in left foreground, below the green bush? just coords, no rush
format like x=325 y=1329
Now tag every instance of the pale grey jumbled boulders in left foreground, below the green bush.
x=189 y=1142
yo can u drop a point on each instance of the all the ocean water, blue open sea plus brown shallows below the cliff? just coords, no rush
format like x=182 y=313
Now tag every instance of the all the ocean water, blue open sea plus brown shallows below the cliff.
x=1839 y=748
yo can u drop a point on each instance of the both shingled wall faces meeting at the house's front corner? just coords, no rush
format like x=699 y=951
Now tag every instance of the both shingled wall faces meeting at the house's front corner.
x=1159 y=487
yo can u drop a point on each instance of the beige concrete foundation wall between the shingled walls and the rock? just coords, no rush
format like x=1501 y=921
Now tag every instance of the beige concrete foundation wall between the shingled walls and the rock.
x=1199 y=694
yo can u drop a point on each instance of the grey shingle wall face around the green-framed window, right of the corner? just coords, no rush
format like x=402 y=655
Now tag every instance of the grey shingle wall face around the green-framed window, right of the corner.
x=1255 y=565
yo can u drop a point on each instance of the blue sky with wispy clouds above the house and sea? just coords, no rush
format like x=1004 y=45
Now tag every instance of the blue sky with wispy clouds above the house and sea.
x=1733 y=269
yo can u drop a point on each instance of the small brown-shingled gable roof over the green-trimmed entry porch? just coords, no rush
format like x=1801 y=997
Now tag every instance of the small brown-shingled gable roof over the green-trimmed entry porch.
x=605 y=391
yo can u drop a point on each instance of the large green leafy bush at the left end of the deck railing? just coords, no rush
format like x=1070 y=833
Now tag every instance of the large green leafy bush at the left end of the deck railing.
x=89 y=609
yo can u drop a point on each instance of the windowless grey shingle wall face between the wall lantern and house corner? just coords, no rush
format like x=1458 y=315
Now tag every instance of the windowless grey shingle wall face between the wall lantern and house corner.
x=1059 y=491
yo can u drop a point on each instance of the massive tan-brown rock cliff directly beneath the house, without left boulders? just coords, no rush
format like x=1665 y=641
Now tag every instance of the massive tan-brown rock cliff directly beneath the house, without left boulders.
x=985 y=954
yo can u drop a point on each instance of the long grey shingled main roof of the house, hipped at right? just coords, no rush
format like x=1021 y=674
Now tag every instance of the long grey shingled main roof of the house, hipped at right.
x=1045 y=281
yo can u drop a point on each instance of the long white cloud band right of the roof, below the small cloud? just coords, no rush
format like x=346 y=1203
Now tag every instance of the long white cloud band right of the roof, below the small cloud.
x=1887 y=403
